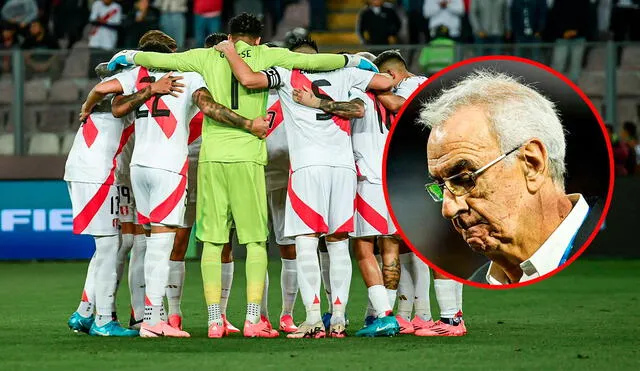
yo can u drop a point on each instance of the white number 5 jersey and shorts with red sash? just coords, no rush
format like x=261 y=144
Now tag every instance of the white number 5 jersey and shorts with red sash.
x=322 y=183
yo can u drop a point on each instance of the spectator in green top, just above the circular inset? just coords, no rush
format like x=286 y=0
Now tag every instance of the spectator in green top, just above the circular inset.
x=439 y=52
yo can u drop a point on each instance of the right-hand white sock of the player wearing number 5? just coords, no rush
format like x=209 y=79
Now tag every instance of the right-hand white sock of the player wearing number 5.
x=341 y=271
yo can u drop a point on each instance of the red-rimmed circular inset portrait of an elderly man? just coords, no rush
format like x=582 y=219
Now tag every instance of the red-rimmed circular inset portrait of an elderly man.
x=498 y=172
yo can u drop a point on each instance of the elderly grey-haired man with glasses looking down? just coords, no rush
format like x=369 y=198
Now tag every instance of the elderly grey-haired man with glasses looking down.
x=496 y=157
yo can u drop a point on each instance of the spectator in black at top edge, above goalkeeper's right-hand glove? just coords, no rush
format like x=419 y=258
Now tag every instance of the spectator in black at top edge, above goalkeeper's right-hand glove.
x=378 y=23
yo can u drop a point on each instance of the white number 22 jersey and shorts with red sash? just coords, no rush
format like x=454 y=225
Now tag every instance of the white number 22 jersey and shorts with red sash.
x=160 y=157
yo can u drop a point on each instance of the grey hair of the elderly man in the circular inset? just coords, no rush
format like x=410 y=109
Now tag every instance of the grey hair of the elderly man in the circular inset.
x=516 y=112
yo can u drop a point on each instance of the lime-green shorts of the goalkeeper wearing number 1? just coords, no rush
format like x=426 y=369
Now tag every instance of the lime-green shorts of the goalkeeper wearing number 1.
x=231 y=192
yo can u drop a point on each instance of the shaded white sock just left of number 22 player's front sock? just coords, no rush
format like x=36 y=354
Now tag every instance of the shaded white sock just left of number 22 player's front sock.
x=136 y=276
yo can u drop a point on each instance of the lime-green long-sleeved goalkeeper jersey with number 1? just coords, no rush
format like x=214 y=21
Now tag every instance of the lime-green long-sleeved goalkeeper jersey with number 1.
x=222 y=142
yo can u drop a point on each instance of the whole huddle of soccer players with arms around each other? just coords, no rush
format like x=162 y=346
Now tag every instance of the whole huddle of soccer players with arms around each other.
x=255 y=129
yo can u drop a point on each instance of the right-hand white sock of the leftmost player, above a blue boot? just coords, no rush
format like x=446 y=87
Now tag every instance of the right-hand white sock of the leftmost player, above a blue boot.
x=105 y=277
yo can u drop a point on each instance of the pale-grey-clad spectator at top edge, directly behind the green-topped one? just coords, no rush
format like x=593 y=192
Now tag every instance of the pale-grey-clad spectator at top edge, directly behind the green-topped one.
x=444 y=13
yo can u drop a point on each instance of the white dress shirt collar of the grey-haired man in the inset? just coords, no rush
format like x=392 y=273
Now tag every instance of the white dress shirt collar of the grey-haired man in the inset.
x=550 y=255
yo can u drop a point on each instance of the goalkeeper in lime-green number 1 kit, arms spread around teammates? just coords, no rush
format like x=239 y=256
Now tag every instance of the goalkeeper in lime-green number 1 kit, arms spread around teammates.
x=231 y=182
